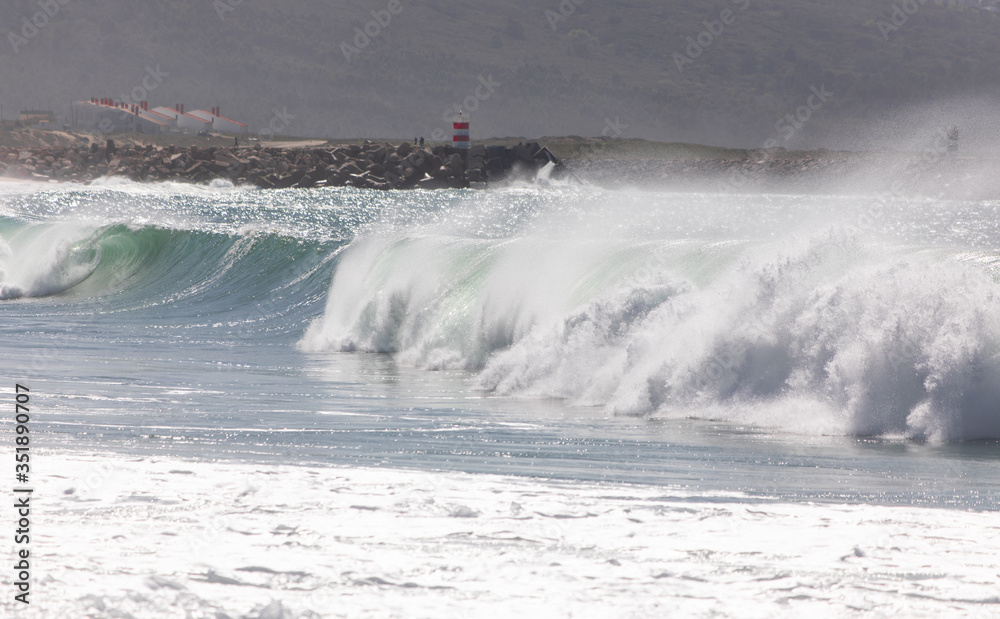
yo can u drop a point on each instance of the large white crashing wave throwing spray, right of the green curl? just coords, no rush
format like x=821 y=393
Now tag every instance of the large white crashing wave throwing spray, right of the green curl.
x=800 y=313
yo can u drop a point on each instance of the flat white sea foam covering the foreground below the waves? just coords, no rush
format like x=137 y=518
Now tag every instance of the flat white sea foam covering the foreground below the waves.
x=118 y=537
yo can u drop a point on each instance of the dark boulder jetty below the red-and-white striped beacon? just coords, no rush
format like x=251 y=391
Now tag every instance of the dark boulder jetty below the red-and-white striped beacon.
x=370 y=165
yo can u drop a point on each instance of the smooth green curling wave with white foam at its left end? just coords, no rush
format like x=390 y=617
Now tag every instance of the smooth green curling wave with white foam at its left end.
x=149 y=268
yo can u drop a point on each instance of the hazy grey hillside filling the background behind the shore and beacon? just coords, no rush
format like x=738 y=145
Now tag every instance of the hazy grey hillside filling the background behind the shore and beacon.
x=541 y=68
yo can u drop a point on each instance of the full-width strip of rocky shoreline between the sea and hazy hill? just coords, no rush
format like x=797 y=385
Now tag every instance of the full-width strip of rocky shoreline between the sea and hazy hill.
x=613 y=163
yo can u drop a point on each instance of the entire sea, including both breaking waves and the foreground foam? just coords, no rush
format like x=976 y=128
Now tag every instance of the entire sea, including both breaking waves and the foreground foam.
x=529 y=401
